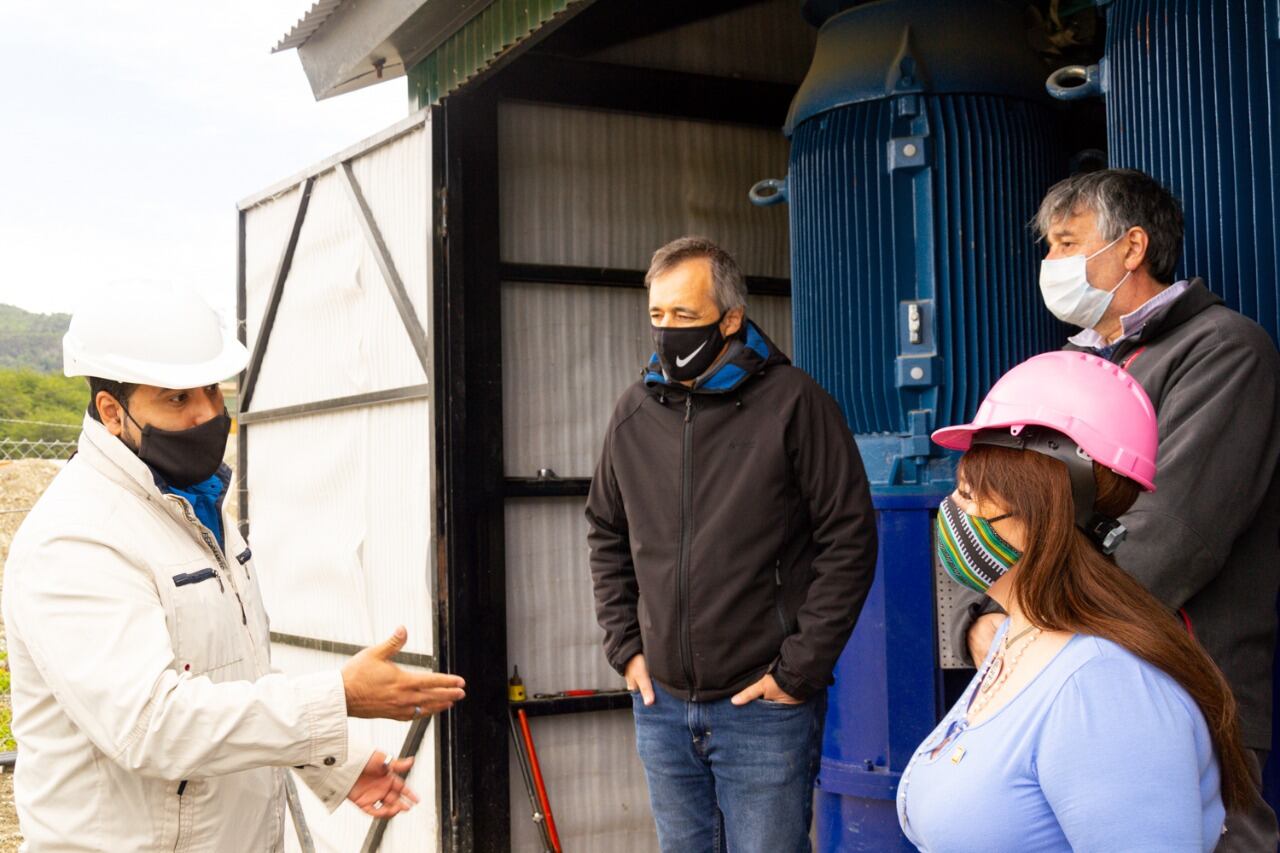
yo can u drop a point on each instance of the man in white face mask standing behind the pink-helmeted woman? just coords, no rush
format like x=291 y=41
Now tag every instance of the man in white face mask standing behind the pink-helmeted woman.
x=1205 y=542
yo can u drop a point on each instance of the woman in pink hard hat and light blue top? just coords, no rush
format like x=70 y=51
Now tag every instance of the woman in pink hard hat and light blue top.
x=1096 y=723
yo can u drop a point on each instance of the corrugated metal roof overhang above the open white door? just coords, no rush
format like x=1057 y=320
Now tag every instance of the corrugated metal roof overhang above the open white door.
x=351 y=44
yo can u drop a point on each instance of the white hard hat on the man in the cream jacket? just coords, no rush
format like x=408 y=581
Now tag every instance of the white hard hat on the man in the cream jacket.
x=152 y=335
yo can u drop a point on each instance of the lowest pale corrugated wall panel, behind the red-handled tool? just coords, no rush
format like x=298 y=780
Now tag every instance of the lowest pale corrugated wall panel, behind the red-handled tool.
x=595 y=782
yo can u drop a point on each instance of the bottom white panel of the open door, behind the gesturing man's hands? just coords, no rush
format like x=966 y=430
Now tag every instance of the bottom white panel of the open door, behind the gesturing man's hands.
x=345 y=831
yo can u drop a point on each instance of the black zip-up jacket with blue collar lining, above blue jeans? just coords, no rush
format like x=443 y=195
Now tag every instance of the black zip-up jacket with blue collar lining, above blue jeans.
x=732 y=528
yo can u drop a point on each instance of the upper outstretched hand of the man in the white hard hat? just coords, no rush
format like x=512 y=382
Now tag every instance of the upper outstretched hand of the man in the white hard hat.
x=377 y=688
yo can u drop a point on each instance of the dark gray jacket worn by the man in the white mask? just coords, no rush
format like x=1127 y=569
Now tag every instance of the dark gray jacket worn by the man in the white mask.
x=1208 y=541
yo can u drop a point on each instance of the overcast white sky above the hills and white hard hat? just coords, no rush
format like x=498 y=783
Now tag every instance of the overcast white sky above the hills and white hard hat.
x=129 y=131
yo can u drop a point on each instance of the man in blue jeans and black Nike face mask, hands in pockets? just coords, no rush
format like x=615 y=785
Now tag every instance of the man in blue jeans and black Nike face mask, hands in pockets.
x=733 y=546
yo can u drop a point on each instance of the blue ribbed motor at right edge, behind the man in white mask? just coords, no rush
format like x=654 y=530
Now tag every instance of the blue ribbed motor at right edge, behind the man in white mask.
x=1192 y=90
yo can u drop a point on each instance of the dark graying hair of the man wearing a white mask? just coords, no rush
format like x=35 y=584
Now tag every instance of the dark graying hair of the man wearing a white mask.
x=1121 y=199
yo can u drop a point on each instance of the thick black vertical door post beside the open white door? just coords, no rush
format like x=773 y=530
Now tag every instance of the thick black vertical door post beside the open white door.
x=473 y=603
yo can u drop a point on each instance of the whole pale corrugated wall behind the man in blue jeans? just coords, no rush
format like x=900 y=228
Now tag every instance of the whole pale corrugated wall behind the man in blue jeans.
x=593 y=189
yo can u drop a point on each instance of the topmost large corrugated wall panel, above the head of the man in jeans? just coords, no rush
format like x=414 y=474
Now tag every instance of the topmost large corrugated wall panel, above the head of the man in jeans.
x=593 y=189
